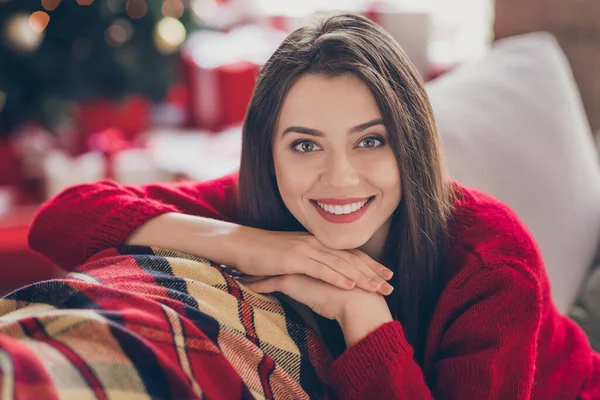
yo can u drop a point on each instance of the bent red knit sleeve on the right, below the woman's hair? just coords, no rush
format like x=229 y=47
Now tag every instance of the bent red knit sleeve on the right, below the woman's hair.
x=487 y=348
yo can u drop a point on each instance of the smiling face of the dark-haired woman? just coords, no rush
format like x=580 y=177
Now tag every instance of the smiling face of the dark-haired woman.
x=335 y=170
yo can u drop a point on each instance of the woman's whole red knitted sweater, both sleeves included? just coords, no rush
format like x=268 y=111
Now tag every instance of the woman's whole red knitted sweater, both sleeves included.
x=495 y=333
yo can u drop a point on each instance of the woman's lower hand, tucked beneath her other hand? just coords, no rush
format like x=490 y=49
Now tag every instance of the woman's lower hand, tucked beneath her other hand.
x=357 y=311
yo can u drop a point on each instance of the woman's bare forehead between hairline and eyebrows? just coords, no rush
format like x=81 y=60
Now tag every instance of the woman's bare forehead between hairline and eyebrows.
x=328 y=103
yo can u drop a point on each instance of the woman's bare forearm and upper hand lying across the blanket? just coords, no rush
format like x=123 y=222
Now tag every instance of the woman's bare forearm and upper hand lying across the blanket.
x=259 y=252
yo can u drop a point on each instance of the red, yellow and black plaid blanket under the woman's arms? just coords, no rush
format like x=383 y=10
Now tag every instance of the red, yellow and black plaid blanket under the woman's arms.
x=141 y=323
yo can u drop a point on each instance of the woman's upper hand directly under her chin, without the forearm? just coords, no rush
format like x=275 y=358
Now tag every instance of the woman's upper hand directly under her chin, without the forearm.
x=265 y=253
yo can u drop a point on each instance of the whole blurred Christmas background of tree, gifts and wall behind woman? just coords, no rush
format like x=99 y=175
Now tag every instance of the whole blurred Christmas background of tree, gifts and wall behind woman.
x=155 y=90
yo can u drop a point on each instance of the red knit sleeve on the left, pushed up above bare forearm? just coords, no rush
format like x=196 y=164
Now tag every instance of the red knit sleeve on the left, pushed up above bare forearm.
x=86 y=219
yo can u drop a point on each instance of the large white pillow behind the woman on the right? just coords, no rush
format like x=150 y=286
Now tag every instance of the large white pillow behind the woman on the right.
x=513 y=126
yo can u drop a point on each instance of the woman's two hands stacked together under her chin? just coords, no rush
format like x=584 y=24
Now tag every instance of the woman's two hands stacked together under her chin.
x=346 y=286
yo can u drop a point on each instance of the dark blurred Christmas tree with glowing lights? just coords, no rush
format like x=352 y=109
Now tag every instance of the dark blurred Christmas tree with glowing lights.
x=55 y=53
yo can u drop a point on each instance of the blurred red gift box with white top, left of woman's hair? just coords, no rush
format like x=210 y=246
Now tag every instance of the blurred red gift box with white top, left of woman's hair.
x=221 y=70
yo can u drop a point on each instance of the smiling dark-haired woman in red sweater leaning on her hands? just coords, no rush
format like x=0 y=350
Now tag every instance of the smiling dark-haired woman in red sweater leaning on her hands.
x=341 y=174
